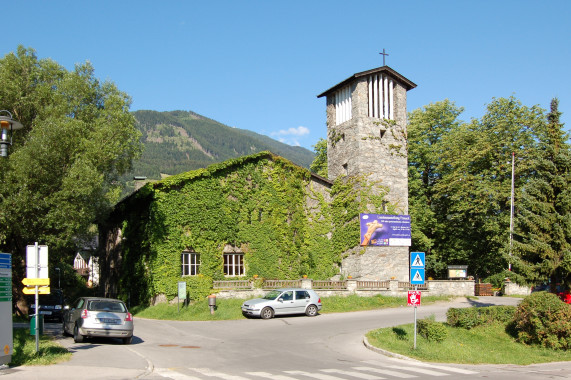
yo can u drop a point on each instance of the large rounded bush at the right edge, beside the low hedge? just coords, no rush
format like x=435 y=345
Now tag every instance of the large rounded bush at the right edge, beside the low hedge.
x=543 y=319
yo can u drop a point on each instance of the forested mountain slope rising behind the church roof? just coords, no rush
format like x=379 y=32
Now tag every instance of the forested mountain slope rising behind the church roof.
x=179 y=141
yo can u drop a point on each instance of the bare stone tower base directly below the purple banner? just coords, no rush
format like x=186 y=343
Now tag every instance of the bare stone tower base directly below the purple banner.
x=378 y=263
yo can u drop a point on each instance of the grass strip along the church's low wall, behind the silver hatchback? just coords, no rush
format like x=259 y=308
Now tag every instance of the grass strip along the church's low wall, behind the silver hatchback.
x=230 y=308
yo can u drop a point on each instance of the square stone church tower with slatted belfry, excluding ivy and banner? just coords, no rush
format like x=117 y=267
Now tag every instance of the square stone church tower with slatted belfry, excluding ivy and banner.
x=366 y=135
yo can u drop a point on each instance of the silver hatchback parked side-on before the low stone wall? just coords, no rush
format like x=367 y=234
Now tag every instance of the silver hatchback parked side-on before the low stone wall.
x=284 y=301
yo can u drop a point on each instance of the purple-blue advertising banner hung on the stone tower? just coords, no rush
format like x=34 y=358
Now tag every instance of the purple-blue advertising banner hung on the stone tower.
x=385 y=230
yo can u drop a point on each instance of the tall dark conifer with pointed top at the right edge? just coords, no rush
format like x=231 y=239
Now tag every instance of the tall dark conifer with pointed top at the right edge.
x=543 y=225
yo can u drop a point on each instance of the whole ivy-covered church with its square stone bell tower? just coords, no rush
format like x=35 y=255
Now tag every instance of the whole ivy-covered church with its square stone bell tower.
x=261 y=216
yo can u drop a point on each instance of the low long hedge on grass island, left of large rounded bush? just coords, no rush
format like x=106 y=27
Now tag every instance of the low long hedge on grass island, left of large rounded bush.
x=475 y=316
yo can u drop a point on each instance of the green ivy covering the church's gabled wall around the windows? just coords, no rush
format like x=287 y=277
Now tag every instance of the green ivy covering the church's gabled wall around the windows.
x=278 y=214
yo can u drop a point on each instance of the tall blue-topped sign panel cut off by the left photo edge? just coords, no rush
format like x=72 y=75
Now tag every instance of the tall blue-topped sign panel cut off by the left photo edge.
x=6 y=335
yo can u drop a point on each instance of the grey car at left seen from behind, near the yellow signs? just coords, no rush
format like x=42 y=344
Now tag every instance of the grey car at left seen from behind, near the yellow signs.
x=98 y=317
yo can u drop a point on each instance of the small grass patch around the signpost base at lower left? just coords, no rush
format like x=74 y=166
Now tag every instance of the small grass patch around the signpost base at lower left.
x=24 y=350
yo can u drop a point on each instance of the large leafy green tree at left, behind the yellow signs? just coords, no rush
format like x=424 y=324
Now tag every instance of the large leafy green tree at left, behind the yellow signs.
x=61 y=173
